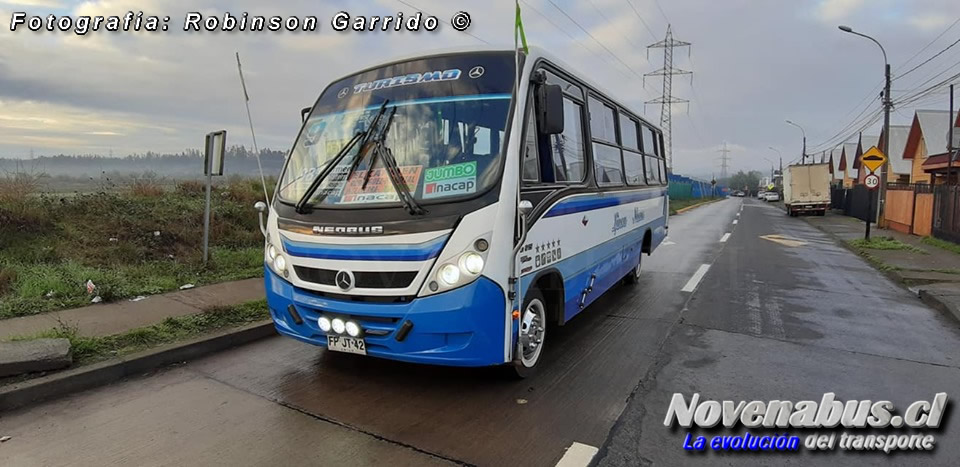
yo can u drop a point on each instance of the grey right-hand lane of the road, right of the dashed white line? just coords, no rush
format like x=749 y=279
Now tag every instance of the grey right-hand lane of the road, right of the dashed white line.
x=787 y=314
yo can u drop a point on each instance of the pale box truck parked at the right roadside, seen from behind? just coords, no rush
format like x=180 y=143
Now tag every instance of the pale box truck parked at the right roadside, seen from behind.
x=806 y=188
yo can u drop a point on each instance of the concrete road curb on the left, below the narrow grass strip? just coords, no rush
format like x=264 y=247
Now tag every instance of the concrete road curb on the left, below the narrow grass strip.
x=98 y=374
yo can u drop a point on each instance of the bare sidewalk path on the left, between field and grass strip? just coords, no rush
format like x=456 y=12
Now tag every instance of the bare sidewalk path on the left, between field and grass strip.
x=118 y=317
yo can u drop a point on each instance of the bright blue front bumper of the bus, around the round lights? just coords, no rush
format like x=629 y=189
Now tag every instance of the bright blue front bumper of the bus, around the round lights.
x=462 y=327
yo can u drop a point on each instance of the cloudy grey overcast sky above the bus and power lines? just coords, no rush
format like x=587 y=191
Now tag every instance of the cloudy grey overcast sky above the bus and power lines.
x=755 y=63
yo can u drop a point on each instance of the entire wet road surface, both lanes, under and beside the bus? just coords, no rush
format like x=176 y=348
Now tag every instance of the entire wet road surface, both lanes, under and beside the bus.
x=743 y=318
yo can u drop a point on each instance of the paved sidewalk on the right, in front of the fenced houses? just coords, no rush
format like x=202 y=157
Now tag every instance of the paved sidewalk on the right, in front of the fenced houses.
x=934 y=273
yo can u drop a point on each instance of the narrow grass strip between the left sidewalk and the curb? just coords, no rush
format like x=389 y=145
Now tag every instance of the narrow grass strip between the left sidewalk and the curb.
x=88 y=350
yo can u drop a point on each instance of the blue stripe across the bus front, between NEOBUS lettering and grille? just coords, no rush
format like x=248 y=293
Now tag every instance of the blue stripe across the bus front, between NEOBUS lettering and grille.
x=394 y=252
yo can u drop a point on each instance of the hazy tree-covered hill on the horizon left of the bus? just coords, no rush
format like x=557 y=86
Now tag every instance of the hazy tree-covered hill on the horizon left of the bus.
x=187 y=164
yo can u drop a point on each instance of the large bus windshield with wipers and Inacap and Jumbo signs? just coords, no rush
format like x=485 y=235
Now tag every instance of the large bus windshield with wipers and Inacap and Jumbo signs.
x=448 y=118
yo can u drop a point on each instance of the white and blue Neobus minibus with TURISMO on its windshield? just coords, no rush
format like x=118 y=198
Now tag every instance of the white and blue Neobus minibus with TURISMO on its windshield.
x=426 y=214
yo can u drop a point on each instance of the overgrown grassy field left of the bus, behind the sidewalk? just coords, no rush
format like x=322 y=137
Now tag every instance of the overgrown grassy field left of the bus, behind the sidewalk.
x=142 y=240
